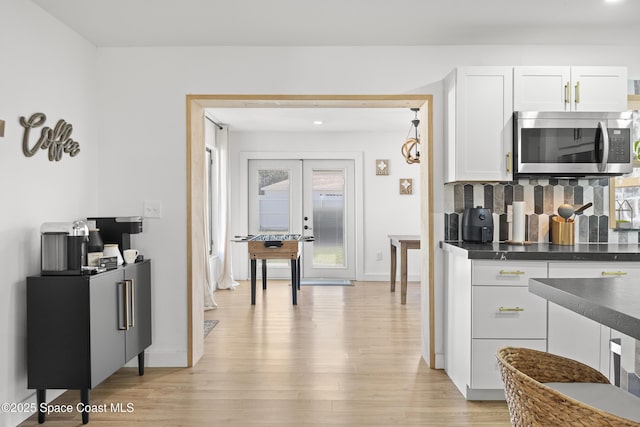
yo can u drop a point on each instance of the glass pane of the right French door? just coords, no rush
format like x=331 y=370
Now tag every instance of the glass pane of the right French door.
x=328 y=218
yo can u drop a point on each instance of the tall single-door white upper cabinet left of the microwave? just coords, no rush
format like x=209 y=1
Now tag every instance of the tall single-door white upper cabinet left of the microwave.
x=478 y=124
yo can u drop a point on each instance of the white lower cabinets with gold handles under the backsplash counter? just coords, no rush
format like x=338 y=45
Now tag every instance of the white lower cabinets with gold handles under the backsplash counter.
x=488 y=306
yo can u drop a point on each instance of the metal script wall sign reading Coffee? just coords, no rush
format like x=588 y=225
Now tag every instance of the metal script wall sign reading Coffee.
x=57 y=140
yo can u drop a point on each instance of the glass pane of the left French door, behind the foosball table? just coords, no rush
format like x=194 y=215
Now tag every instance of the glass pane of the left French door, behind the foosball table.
x=273 y=204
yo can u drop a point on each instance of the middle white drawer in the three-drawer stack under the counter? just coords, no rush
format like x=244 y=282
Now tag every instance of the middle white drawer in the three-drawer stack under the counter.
x=507 y=312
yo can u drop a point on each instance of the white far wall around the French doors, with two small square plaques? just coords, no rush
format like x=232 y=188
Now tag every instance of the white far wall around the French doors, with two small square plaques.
x=385 y=211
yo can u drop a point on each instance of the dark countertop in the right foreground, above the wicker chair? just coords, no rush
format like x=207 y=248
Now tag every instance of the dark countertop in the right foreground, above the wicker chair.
x=613 y=302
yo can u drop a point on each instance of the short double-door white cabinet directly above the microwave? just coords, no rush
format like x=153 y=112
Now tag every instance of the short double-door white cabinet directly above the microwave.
x=570 y=89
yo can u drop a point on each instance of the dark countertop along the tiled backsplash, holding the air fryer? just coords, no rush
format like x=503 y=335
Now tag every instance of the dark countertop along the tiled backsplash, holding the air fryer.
x=544 y=251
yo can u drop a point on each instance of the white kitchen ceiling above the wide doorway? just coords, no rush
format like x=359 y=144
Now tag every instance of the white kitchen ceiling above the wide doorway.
x=348 y=22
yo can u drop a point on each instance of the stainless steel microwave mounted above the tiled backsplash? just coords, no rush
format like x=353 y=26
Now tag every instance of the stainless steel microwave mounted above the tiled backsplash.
x=572 y=144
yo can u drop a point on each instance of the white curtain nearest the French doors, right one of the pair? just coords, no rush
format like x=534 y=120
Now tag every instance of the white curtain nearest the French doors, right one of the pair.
x=224 y=278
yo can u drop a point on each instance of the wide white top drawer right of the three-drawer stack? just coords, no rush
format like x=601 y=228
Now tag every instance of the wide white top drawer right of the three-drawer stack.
x=619 y=269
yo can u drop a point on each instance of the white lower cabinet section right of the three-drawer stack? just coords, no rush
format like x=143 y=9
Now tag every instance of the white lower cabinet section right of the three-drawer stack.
x=573 y=335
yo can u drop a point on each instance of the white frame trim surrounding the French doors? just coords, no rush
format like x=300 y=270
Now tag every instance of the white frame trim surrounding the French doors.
x=240 y=251
